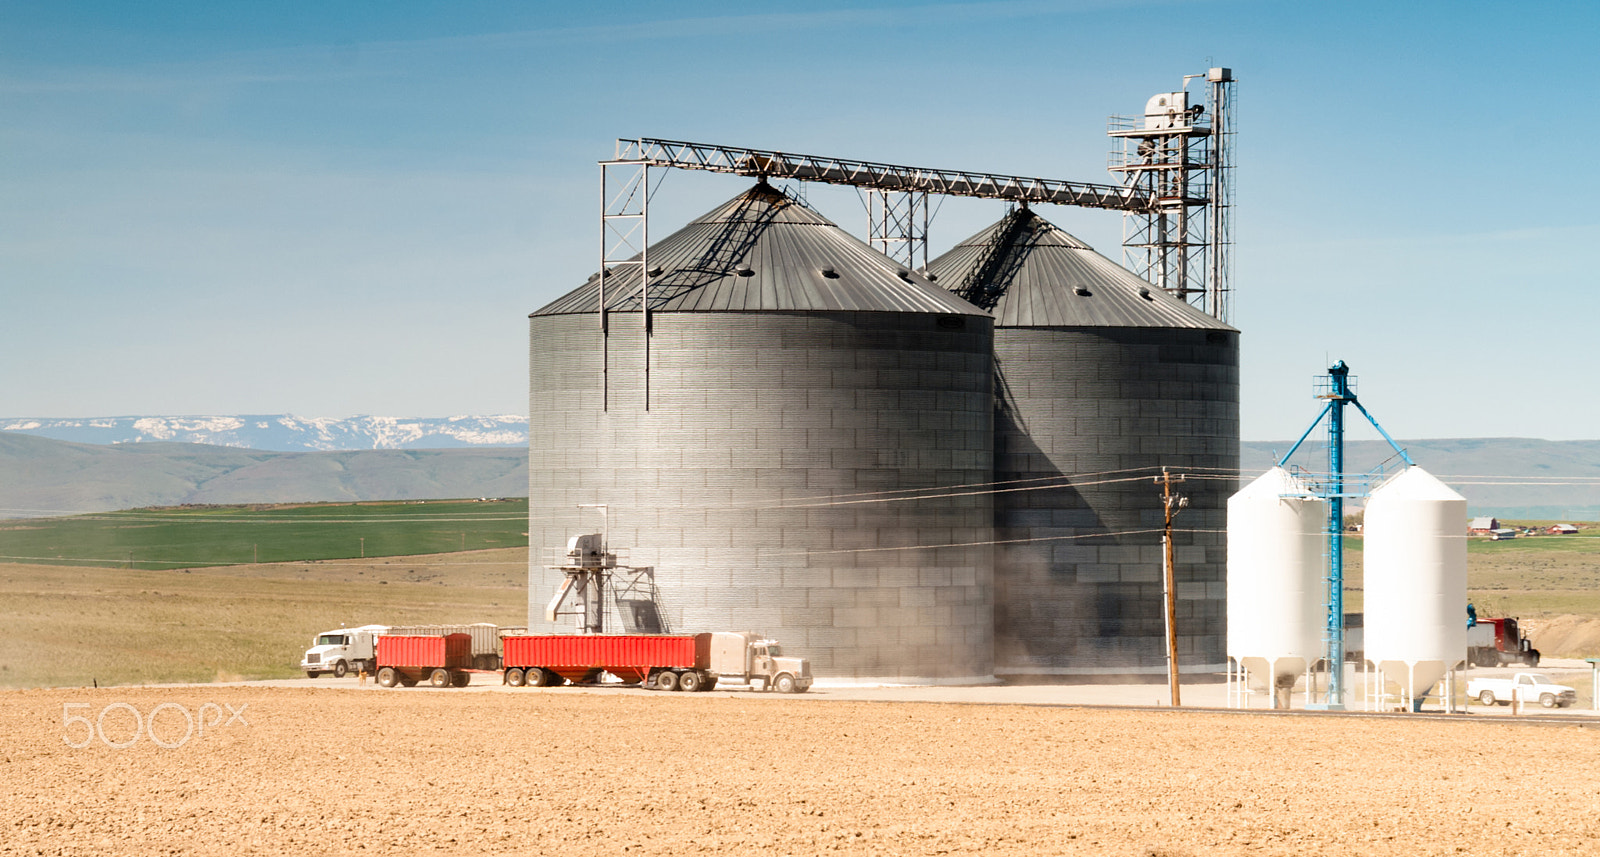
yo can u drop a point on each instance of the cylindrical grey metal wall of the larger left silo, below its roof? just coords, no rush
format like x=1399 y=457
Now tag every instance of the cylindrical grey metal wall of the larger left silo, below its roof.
x=751 y=413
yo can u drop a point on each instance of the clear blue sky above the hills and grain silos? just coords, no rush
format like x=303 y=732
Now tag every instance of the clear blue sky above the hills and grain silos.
x=351 y=209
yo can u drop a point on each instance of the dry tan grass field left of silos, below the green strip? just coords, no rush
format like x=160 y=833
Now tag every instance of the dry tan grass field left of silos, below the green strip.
x=70 y=626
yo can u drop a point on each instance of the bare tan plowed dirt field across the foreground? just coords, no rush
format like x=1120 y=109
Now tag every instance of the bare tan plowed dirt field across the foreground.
x=612 y=771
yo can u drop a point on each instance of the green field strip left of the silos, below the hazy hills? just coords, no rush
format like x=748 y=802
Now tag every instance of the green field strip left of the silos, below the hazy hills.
x=223 y=536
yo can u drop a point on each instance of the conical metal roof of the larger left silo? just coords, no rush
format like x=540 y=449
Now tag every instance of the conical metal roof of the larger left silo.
x=764 y=252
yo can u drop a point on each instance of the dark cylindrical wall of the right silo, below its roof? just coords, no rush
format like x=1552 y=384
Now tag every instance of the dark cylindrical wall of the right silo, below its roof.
x=1081 y=591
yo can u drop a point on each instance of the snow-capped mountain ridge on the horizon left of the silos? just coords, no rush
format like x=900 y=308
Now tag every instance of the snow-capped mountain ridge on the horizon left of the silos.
x=286 y=432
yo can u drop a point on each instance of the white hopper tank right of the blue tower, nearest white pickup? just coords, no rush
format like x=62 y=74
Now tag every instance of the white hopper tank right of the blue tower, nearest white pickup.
x=1415 y=576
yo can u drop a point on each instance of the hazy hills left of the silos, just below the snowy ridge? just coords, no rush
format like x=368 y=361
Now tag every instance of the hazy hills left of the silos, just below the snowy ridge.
x=50 y=477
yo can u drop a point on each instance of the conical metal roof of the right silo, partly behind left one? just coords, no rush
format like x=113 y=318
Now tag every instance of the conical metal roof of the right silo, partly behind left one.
x=1031 y=274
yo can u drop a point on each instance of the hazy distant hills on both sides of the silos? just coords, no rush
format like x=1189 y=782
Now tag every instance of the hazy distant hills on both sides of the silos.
x=1505 y=477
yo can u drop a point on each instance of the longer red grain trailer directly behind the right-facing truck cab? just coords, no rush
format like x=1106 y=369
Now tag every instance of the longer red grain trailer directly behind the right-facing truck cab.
x=670 y=663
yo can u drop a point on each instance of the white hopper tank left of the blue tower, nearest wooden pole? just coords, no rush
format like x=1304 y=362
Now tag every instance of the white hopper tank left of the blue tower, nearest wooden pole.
x=1278 y=565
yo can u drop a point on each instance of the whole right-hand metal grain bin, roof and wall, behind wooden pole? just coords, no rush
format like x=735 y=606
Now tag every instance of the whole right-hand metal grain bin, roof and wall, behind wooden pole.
x=1102 y=381
